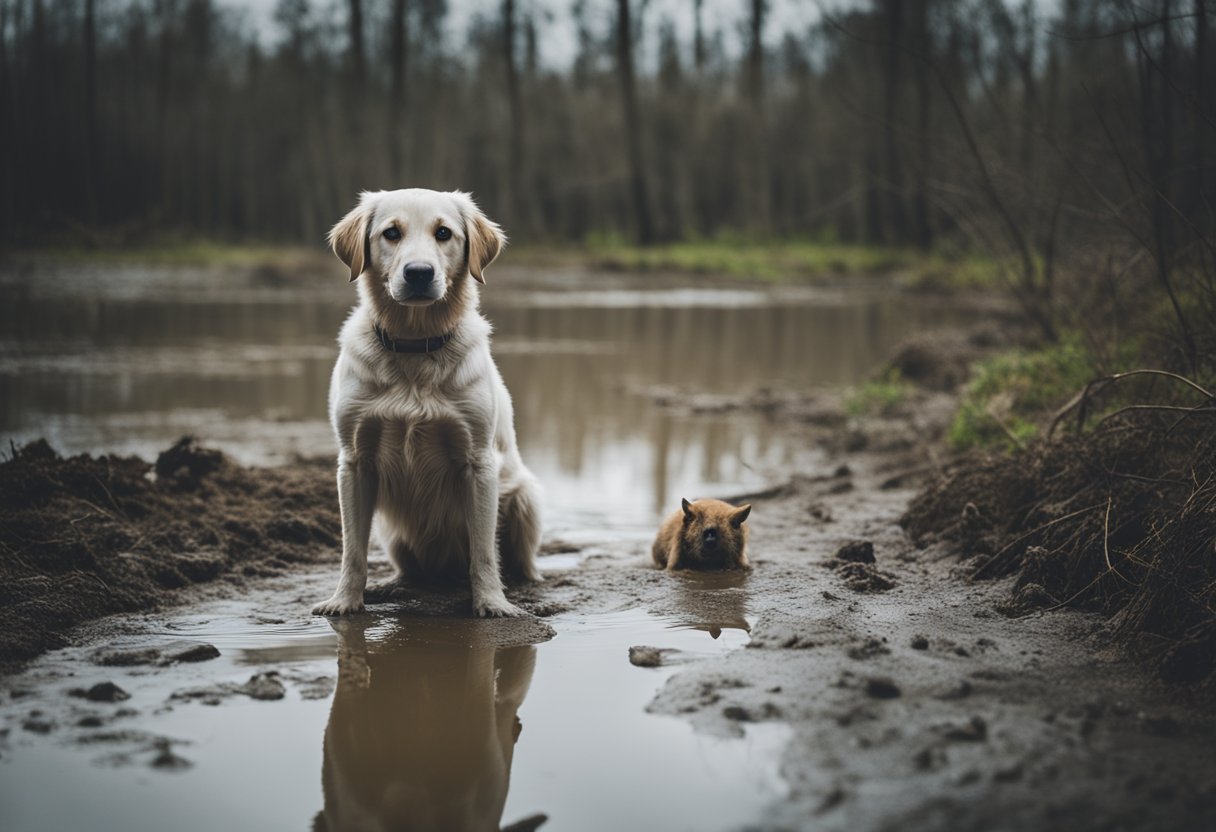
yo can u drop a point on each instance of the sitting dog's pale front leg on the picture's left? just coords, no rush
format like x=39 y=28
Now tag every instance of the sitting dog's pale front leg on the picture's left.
x=357 y=499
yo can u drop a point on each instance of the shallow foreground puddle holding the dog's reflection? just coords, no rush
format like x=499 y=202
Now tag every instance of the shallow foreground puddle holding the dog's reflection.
x=440 y=724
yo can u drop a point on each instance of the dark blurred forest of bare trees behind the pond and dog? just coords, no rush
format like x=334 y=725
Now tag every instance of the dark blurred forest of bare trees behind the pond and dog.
x=992 y=123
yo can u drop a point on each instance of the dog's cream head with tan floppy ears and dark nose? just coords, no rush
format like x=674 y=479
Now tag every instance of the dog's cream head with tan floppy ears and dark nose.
x=418 y=245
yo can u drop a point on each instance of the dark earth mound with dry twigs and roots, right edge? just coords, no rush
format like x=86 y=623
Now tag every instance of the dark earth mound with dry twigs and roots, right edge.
x=1122 y=521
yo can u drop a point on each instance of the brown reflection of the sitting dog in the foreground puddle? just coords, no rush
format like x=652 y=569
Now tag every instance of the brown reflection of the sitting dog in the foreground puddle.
x=423 y=729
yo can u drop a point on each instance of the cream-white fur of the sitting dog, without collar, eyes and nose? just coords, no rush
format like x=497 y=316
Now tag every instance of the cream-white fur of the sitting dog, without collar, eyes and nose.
x=426 y=442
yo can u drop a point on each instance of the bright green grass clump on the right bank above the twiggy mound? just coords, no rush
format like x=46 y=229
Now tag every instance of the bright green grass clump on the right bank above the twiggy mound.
x=1014 y=396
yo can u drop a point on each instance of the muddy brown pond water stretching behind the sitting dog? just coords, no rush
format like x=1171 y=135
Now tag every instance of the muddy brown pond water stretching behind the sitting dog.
x=131 y=359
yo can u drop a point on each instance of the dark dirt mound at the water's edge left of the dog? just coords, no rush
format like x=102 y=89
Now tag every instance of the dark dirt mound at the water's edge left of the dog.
x=87 y=537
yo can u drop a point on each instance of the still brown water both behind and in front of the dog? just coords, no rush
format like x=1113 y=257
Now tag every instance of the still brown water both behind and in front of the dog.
x=423 y=724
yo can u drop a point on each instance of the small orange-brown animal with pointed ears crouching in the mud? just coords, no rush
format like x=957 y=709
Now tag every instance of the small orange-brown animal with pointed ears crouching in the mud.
x=706 y=535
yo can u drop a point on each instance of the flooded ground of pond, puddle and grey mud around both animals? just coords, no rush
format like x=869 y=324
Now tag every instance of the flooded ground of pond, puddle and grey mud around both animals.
x=814 y=693
